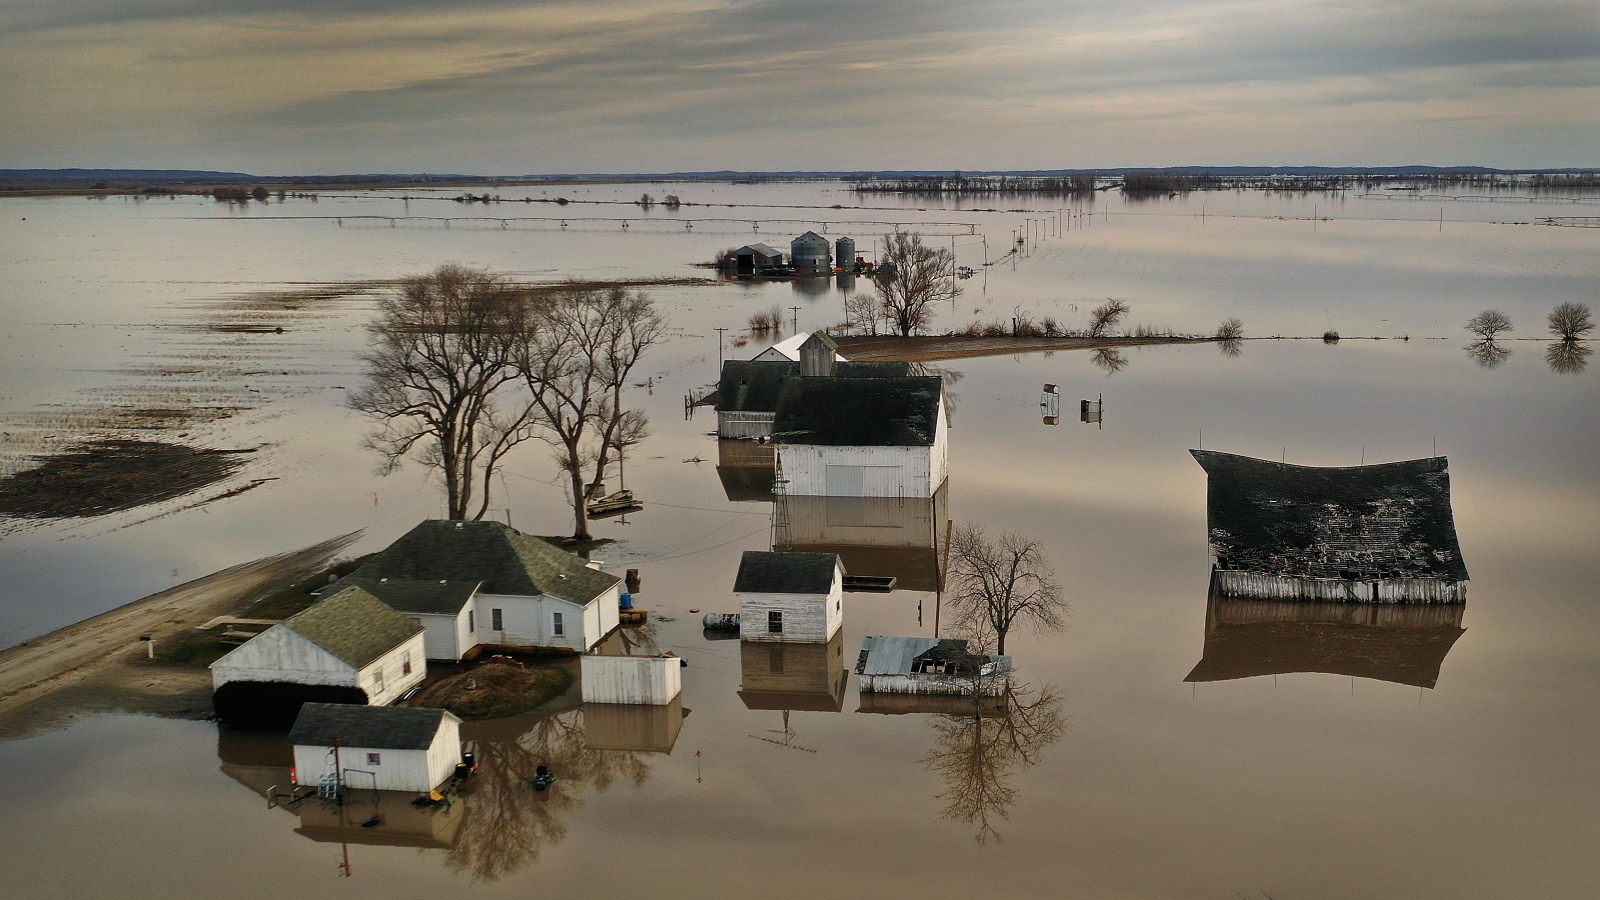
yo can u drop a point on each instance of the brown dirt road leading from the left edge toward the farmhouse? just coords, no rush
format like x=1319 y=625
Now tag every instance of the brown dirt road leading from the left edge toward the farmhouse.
x=102 y=656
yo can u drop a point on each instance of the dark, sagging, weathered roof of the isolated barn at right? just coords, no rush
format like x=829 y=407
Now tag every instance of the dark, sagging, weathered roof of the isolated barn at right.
x=1385 y=521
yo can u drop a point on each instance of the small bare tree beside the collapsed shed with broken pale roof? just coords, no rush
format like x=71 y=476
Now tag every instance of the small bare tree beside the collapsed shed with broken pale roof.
x=998 y=584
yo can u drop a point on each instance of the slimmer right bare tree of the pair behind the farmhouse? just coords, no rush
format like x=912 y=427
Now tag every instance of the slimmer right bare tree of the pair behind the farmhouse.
x=577 y=366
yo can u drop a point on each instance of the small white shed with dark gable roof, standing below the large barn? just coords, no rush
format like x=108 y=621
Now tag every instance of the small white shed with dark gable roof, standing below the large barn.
x=790 y=597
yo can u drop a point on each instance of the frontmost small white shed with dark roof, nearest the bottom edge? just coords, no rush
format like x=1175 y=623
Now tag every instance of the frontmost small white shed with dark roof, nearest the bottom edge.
x=388 y=749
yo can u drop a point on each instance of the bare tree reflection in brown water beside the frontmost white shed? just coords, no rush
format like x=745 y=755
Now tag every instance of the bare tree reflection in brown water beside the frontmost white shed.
x=506 y=824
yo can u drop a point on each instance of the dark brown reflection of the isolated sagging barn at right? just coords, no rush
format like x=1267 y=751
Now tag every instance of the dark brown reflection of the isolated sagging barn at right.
x=1394 y=643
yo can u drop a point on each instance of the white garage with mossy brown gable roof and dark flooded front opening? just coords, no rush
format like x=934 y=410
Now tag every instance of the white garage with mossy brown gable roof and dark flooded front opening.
x=348 y=640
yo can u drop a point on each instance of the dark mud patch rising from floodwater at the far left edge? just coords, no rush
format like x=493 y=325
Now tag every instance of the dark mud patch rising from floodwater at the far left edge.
x=110 y=476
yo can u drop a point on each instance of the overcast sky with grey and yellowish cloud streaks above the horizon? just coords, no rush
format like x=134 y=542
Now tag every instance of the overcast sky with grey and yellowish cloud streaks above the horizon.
x=279 y=87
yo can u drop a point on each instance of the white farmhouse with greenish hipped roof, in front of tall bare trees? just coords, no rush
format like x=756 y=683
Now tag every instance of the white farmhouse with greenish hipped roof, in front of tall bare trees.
x=471 y=584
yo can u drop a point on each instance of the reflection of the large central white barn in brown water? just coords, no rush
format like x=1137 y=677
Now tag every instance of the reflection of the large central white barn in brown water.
x=876 y=537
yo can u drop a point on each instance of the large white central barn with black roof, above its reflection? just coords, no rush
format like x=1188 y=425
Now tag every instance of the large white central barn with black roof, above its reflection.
x=846 y=436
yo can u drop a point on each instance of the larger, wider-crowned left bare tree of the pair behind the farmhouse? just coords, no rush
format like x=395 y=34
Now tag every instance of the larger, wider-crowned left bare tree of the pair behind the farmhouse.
x=441 y=371
